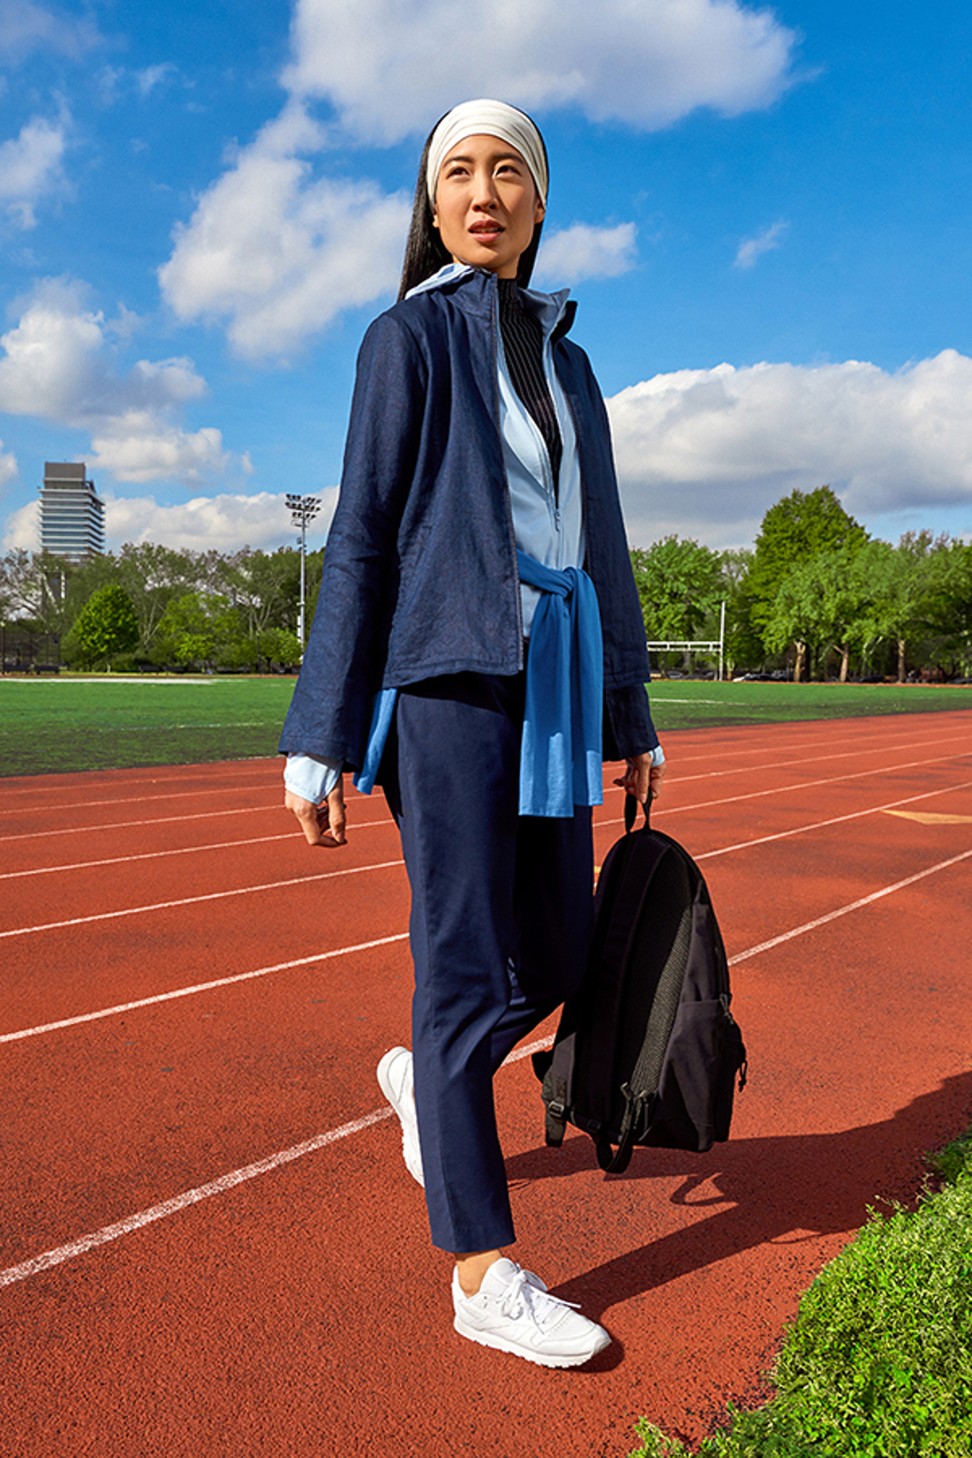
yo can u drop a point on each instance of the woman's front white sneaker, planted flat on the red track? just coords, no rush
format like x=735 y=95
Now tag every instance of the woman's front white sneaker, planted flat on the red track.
x=515 y=1313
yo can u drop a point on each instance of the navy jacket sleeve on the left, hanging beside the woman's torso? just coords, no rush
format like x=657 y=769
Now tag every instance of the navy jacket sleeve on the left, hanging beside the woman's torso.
x=332 y=709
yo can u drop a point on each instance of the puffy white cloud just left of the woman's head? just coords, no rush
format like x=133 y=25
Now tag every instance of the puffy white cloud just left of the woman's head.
x=279 y=253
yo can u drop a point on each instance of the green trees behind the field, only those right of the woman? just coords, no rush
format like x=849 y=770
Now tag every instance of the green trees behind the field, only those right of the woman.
x=817 y=597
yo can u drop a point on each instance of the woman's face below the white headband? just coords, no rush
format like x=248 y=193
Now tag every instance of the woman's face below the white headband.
x=486 y=205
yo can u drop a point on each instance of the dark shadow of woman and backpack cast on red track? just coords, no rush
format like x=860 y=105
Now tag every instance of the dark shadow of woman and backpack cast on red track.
x=776 y=1190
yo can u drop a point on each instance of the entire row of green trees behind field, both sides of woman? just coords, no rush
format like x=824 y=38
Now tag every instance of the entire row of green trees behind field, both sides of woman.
x=815 y=597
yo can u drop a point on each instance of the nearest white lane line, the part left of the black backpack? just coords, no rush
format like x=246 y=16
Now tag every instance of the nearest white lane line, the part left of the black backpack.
x=208 y=1192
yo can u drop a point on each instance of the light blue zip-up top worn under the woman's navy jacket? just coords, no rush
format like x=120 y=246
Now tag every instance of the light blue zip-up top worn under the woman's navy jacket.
x=547 y=524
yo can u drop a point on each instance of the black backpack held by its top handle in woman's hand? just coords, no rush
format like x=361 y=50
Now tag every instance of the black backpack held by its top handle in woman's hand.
x=648 y=1050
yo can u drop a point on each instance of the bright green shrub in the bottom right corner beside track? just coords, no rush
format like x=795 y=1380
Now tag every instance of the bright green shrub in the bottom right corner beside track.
x=879 y=1360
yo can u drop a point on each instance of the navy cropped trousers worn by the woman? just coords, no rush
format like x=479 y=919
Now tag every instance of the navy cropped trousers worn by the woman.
x=501 y=929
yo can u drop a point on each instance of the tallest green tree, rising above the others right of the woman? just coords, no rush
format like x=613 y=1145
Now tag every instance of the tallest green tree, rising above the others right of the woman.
x=793 y=531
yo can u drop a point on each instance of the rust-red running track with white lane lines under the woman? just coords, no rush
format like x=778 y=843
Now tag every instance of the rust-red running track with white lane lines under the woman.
x=211 y=1246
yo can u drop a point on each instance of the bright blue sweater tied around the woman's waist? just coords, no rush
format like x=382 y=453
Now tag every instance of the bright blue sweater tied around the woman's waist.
x=560 y=756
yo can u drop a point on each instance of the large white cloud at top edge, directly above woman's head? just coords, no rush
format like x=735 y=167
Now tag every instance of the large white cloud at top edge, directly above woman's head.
x=391 y=69
